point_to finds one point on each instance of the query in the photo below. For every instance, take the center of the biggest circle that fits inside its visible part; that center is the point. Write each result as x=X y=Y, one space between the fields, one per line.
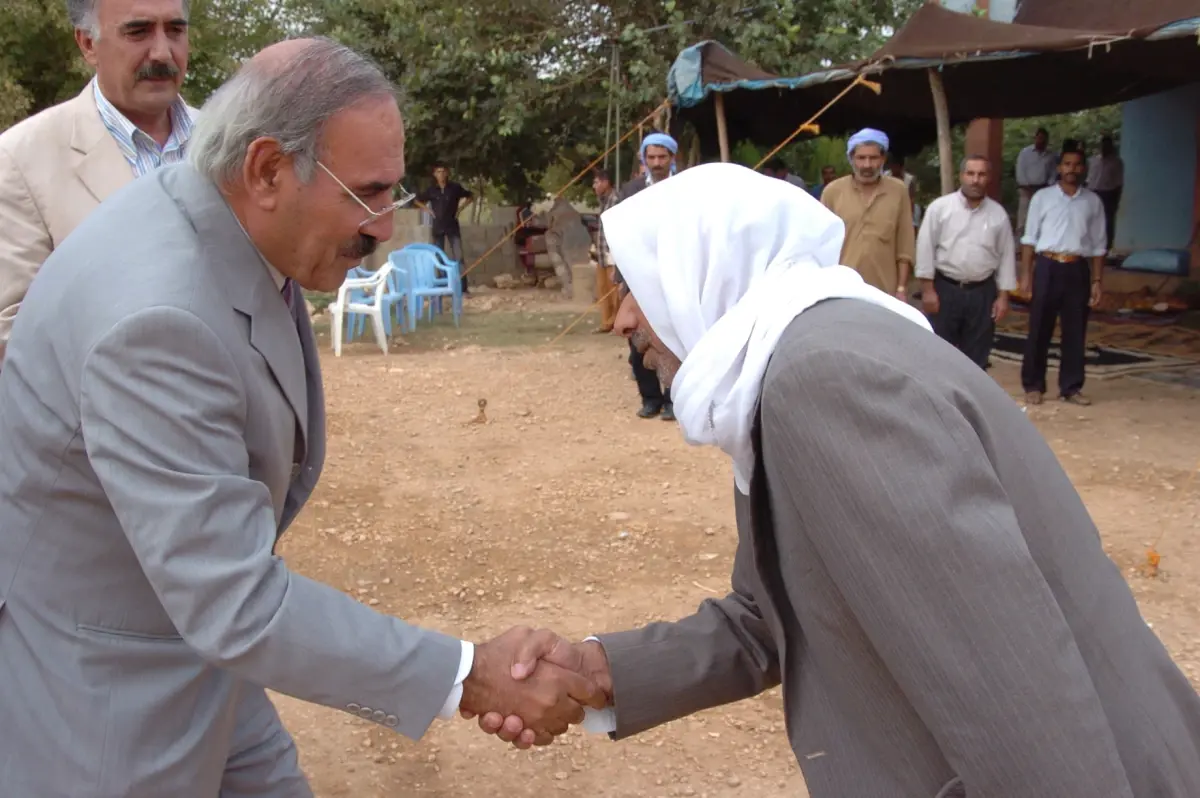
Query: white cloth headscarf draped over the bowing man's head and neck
x=719 y=280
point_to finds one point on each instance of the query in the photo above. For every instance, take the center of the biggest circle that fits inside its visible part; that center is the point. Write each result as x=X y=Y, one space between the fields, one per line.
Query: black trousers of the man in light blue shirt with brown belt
x=1061 y=292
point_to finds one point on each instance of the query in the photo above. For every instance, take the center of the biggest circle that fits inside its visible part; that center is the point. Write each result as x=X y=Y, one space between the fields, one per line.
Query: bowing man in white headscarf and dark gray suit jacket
x=914 y=565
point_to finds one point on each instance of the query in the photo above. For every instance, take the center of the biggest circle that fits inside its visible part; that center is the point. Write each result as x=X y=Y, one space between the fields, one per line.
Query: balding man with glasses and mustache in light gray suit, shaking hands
x=163 y=423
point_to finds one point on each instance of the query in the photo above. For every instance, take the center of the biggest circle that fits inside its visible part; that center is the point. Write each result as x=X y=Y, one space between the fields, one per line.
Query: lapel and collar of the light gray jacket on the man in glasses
x=241 y=271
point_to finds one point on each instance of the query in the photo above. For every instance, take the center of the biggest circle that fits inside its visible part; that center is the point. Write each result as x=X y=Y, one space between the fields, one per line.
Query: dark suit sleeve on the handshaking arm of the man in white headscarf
x=665 y=671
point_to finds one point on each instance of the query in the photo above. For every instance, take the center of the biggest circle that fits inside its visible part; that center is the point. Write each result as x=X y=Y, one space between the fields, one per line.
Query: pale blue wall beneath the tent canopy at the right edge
x=1159 y=145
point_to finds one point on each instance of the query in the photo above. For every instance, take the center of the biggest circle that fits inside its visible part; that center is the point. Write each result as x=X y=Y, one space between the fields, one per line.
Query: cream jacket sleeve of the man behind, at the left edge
x=25 y=244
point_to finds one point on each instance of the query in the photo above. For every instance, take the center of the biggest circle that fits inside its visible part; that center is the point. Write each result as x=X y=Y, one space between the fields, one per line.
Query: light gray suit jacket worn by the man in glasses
x=163 y=422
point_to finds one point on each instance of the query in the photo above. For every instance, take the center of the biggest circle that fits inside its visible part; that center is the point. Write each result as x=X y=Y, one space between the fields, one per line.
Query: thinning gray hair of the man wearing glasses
x=290 y=101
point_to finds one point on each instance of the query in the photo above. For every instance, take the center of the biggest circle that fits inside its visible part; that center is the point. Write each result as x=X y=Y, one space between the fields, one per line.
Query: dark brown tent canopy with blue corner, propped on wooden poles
x=991 y=70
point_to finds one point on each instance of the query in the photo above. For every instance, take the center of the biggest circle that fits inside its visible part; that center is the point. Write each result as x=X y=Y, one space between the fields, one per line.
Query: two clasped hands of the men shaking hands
x=529 y=687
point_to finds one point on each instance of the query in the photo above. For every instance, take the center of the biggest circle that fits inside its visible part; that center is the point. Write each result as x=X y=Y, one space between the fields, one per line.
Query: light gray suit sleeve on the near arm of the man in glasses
x=164 y=415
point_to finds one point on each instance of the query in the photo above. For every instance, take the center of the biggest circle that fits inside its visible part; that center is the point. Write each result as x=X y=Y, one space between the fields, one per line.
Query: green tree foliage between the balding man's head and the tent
x=506 y=91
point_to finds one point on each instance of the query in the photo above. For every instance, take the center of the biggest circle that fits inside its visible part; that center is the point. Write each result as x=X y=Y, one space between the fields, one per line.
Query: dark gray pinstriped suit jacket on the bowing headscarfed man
x=919 y=572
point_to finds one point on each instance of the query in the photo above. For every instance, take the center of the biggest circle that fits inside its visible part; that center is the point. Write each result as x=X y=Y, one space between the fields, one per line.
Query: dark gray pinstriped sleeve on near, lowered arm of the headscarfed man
x=908 y=515
